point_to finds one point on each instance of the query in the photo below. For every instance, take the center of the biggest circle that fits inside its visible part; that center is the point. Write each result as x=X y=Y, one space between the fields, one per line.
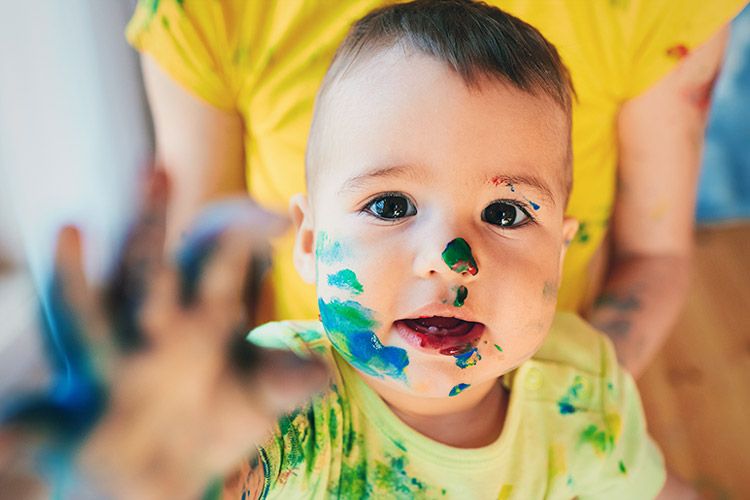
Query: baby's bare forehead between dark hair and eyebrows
x=410 y=114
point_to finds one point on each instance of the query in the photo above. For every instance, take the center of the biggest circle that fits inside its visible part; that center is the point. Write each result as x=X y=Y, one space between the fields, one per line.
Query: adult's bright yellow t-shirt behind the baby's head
x=266 y=59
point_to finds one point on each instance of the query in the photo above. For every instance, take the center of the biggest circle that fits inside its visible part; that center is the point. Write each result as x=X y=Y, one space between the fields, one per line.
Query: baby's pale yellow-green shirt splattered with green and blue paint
x=574 y=428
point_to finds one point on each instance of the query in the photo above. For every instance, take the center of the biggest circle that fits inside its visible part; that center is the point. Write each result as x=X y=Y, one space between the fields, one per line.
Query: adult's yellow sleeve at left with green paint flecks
x=194 y=41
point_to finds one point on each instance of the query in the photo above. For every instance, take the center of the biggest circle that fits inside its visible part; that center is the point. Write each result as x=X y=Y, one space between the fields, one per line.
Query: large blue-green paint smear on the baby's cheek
x=350 y=326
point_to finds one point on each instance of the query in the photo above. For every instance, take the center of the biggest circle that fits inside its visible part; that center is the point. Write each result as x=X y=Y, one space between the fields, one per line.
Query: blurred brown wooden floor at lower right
x=697 y=392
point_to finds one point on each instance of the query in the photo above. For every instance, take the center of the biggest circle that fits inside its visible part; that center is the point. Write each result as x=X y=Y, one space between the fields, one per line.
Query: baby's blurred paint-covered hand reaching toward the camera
x=155 y=390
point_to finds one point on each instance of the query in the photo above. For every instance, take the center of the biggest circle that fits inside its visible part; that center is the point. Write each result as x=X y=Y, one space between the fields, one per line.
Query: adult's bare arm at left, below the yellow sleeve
x=199 y=145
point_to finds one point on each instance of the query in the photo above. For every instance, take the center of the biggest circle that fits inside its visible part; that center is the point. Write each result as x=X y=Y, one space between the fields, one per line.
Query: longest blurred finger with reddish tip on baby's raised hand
x=140 y=262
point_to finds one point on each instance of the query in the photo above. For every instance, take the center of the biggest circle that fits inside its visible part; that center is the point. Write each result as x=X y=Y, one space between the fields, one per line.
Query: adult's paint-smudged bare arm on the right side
x=660 y=135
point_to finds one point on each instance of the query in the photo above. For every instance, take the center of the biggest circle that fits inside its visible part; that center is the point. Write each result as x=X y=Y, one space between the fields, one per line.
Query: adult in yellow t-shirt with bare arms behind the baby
x=232 y=85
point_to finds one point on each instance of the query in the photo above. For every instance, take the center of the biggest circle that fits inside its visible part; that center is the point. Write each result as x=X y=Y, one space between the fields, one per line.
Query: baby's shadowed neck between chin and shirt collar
x=473 y=420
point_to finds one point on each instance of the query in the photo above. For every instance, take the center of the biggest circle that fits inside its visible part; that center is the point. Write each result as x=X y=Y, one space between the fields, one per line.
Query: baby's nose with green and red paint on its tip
x=453 y=259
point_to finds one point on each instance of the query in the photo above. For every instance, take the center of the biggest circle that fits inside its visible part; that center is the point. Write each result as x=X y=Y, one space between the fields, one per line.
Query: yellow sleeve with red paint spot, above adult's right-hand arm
x=659 y=34
